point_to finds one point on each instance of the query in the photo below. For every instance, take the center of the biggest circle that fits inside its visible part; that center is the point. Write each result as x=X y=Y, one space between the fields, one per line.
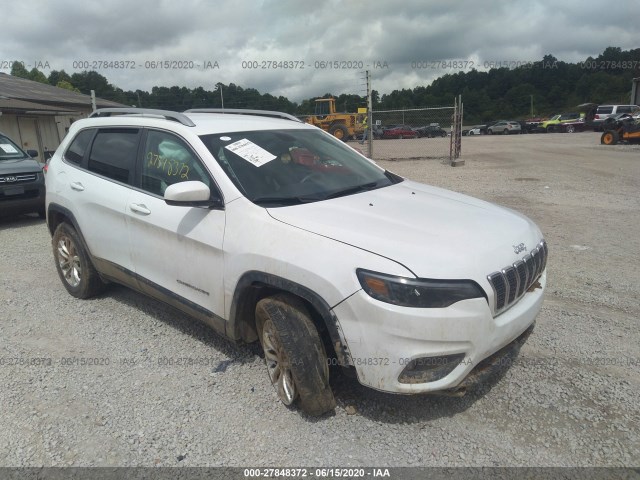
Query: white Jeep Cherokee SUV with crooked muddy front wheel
x=269 y=229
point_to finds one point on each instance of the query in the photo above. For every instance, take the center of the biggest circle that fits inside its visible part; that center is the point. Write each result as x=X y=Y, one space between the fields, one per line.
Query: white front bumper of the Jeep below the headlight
x=417 y=350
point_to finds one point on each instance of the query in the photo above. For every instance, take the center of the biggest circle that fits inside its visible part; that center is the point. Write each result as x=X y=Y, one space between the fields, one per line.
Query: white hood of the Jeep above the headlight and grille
x=433 y=232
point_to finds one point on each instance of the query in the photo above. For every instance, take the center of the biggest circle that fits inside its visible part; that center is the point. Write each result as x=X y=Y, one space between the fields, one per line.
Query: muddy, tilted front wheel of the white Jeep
x=294 y=354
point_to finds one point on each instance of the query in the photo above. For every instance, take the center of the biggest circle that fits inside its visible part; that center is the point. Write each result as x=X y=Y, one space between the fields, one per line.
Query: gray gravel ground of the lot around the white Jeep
x=571 y=398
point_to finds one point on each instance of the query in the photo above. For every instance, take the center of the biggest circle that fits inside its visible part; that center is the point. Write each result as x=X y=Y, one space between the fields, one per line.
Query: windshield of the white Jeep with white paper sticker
x=289 y=167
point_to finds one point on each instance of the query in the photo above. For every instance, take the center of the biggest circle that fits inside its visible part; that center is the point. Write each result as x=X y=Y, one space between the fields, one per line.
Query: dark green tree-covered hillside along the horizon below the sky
x=549 y=86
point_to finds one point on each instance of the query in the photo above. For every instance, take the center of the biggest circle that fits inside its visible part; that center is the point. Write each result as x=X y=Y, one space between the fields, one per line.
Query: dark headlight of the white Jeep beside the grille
x=417 y=292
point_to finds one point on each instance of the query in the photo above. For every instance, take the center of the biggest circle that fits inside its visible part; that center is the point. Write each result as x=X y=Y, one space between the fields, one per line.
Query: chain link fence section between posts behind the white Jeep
x=420 y=133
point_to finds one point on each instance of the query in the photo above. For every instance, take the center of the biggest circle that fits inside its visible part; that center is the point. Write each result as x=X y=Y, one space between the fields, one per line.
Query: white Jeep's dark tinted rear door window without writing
x=113 y=153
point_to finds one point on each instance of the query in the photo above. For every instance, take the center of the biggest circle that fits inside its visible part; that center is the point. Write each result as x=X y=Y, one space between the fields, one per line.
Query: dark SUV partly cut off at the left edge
x=21 y=180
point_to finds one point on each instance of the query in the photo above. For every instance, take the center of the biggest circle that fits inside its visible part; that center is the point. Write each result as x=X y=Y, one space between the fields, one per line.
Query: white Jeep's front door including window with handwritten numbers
x=176 y=250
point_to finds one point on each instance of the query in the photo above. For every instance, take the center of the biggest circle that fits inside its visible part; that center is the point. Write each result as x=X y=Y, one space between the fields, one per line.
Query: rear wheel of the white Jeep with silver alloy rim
x=74 y=267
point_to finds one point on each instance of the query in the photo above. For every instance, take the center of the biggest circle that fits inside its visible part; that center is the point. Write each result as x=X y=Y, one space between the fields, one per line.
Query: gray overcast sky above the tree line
x=361 y=32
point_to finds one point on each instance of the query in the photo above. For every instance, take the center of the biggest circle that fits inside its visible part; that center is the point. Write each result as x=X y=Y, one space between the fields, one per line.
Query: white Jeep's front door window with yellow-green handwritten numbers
x=166 y=159
